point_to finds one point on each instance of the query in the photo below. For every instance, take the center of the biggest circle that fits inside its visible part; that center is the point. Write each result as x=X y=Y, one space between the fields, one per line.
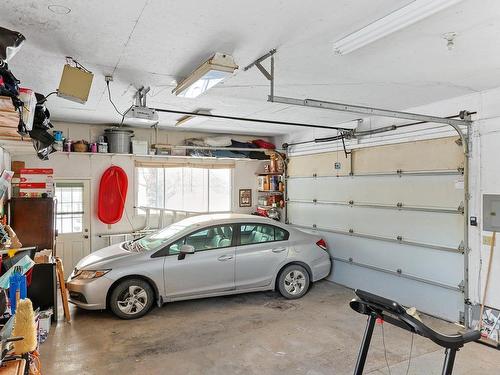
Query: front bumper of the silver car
x=89 y=294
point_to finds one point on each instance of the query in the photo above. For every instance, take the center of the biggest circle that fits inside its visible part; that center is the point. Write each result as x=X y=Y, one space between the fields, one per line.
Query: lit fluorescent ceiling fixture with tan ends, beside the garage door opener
x=206 y=76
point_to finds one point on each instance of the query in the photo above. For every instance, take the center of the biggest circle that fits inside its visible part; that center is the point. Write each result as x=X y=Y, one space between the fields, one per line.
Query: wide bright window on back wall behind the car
x=185 y=188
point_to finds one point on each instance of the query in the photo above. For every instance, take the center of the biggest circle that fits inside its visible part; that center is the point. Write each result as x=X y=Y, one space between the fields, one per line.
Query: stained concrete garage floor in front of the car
x=258 y=333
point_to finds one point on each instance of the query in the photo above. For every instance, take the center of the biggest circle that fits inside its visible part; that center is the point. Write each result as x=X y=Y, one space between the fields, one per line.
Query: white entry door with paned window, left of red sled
x=72 y=221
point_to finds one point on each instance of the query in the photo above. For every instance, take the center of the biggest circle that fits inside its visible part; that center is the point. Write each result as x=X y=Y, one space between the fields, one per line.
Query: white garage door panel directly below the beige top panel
x=432 y=191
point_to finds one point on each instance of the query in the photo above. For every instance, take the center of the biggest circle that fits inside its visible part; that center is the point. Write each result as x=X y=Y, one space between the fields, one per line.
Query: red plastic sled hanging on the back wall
x=112 y=195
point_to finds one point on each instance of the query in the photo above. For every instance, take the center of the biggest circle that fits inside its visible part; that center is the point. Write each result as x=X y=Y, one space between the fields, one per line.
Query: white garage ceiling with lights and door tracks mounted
x=154 y=42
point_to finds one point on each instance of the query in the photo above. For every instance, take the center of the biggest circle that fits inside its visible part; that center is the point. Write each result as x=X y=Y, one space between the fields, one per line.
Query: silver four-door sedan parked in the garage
x=201 y=256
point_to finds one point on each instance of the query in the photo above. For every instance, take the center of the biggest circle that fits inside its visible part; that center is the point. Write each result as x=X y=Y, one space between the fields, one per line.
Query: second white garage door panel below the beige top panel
x=437 y=228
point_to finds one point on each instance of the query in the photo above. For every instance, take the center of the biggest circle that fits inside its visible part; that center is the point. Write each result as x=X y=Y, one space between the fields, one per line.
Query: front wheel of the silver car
x=131 y=299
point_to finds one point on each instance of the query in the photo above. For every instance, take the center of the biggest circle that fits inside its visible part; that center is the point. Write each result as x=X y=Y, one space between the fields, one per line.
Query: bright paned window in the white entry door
x=69 y=217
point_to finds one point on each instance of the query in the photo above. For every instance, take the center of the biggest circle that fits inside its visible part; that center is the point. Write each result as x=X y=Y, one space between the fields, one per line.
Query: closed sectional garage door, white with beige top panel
x=392 y=217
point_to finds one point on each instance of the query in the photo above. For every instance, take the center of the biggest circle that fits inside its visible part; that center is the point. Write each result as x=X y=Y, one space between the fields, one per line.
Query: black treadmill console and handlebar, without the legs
x=392 y=312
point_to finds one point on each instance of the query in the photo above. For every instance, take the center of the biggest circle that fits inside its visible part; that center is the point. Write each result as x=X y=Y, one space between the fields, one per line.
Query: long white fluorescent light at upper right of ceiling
x=397 y=20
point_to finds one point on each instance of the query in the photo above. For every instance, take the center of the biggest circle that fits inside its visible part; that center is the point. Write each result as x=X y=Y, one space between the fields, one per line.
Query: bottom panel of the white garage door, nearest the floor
x=444 y=303
